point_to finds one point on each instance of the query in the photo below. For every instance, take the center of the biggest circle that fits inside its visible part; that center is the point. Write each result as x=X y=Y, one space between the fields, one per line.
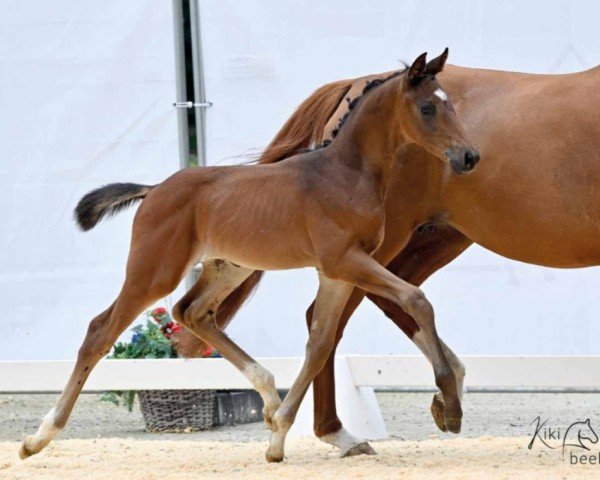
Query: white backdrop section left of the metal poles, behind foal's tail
x=85 y=97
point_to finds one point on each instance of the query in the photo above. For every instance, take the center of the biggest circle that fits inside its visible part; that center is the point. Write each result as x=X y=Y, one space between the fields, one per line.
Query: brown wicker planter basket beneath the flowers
x=177 y=410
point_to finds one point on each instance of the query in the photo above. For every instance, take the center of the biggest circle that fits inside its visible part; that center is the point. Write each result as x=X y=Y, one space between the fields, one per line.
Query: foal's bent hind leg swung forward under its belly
x=197 y=311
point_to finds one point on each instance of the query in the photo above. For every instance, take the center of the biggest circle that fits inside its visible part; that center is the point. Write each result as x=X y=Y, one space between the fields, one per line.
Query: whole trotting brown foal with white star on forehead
x=324 y=208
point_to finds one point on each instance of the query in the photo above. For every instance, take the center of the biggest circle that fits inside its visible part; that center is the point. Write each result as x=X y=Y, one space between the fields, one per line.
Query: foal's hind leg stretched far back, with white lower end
x=153 y=271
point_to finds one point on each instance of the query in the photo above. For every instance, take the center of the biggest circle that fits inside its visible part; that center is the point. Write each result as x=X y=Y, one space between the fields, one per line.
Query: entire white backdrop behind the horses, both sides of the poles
x=85 y=95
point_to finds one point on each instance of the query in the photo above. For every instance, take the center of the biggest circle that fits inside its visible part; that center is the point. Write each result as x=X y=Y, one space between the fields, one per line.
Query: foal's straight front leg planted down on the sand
x=330 y=301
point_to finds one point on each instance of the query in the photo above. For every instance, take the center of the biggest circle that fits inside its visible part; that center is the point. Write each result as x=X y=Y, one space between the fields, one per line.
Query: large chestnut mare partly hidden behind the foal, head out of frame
x=535 y=198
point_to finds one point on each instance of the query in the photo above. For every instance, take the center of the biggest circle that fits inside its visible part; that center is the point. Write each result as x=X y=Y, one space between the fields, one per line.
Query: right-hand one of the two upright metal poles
x=200 y=102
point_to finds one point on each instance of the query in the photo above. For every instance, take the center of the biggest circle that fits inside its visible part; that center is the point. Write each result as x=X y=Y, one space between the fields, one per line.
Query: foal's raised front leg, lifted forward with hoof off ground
x=365 y=272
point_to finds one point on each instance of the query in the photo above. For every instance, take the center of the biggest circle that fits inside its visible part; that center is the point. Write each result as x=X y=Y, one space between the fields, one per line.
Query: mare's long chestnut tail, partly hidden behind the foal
x=305 y=127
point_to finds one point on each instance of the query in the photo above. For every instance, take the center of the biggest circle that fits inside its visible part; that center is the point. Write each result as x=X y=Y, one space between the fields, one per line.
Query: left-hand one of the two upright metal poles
x=184 y=142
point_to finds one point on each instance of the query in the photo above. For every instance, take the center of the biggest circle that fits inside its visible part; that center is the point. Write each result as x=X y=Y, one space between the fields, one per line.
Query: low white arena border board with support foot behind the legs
x=356 y=376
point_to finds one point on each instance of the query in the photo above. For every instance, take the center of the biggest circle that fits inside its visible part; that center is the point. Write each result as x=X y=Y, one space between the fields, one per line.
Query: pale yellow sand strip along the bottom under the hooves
x=483 y=458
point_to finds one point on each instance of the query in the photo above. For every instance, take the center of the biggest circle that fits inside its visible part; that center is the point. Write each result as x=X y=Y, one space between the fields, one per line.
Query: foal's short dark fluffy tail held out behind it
x=107 y=201
